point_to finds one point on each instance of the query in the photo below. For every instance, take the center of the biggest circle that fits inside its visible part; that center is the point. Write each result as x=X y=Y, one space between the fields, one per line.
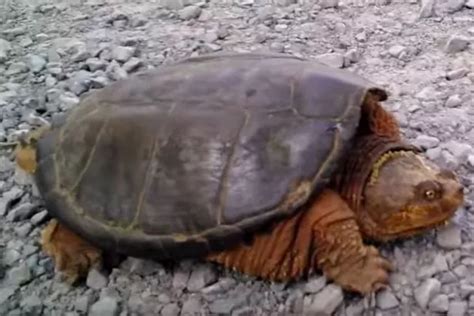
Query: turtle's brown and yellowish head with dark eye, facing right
x=407 y=194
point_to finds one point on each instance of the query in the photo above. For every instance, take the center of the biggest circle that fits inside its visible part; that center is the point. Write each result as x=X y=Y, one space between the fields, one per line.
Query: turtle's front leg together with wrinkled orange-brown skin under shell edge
x=325 y=237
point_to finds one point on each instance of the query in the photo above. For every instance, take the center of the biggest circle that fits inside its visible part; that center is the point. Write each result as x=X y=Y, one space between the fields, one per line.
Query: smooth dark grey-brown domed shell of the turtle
x=194 y=156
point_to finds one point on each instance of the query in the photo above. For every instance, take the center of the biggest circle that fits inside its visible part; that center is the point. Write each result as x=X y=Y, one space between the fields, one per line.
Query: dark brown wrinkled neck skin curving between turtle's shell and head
x=351 y=179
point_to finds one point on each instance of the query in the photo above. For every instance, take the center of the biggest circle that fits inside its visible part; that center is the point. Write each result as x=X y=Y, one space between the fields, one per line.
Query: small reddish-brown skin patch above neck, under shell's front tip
x=377 y=120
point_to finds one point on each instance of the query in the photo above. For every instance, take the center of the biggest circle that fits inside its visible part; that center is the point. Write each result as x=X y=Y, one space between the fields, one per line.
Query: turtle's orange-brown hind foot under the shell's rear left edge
x=72 y=255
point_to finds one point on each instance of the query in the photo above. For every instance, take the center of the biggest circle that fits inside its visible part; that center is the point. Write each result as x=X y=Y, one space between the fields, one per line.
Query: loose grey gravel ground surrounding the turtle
x=422 y=52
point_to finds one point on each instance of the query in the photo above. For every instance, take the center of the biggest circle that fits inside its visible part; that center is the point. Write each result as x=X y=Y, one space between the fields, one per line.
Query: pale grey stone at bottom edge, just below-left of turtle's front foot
x=325 y=302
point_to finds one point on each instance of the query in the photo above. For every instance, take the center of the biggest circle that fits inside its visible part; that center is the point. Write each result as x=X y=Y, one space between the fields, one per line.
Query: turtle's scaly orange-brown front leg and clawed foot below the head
x=340 y=251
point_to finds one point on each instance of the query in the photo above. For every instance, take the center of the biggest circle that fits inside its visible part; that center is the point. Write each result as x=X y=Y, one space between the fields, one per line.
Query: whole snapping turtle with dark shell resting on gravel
x=266 y=163
